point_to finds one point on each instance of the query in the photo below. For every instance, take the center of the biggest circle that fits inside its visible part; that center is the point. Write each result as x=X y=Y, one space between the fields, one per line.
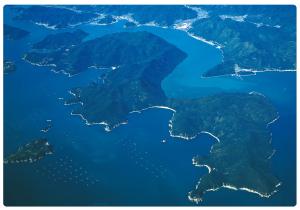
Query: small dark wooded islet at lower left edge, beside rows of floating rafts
x=31 y=152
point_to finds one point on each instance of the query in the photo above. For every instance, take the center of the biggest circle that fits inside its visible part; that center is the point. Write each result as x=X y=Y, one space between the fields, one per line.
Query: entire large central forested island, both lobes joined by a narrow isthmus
x=133 y=65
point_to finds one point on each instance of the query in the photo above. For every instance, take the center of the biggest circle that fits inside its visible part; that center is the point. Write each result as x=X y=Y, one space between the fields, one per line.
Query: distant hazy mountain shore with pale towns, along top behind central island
x=68 y=16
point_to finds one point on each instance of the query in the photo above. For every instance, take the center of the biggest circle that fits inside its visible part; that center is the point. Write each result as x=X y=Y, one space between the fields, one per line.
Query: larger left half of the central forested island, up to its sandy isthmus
x=135 y=63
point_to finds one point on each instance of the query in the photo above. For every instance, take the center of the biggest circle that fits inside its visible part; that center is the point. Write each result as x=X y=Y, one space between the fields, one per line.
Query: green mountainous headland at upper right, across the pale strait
x=249 y=46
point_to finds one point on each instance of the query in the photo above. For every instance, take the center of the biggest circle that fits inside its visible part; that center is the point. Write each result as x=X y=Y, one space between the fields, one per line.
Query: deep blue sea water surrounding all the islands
x=130 y=165
